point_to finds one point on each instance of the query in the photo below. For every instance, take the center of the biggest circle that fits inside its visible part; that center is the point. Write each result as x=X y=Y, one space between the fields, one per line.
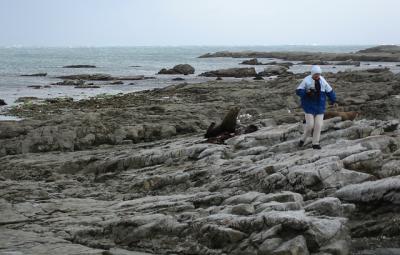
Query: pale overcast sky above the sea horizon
x=198 y=22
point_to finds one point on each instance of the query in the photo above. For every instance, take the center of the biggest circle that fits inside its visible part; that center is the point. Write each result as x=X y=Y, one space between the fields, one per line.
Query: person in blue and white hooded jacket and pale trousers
x=313 y=91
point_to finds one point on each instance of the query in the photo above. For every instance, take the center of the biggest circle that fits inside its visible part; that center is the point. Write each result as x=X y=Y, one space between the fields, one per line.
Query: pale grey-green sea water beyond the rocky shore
x=118 y=61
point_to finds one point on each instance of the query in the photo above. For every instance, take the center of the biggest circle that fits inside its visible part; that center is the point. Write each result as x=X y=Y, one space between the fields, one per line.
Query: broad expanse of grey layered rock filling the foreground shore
x=132 y=173
